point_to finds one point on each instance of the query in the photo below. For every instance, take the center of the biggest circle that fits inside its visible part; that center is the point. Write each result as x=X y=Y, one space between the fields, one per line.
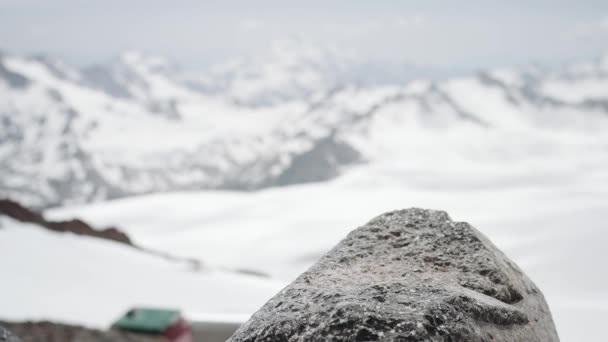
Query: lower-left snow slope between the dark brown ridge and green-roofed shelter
x=69 y=278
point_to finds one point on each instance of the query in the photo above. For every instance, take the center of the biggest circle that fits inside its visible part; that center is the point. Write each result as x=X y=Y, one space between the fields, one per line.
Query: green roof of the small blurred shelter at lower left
x=147 y=320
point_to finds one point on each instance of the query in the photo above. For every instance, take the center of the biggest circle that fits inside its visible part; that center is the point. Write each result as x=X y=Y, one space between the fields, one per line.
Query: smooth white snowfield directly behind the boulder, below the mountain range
x=552 y=225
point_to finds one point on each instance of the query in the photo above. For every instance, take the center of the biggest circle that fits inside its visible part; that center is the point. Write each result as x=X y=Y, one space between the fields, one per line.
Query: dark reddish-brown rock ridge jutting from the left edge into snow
x=23 y=214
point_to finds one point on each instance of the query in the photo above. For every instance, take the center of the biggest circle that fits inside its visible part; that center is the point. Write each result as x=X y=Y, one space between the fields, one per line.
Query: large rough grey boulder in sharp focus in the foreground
x=409 y=275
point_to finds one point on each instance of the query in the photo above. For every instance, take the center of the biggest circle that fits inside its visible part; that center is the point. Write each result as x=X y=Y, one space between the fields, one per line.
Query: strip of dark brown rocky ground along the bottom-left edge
x=56 y=332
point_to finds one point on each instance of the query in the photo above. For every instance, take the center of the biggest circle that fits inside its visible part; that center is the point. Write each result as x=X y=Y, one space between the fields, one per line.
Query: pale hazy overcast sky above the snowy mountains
x=446 y=34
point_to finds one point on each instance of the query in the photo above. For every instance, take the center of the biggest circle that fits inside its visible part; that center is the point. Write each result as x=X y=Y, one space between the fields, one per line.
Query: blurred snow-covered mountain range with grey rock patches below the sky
x=139 y=124
